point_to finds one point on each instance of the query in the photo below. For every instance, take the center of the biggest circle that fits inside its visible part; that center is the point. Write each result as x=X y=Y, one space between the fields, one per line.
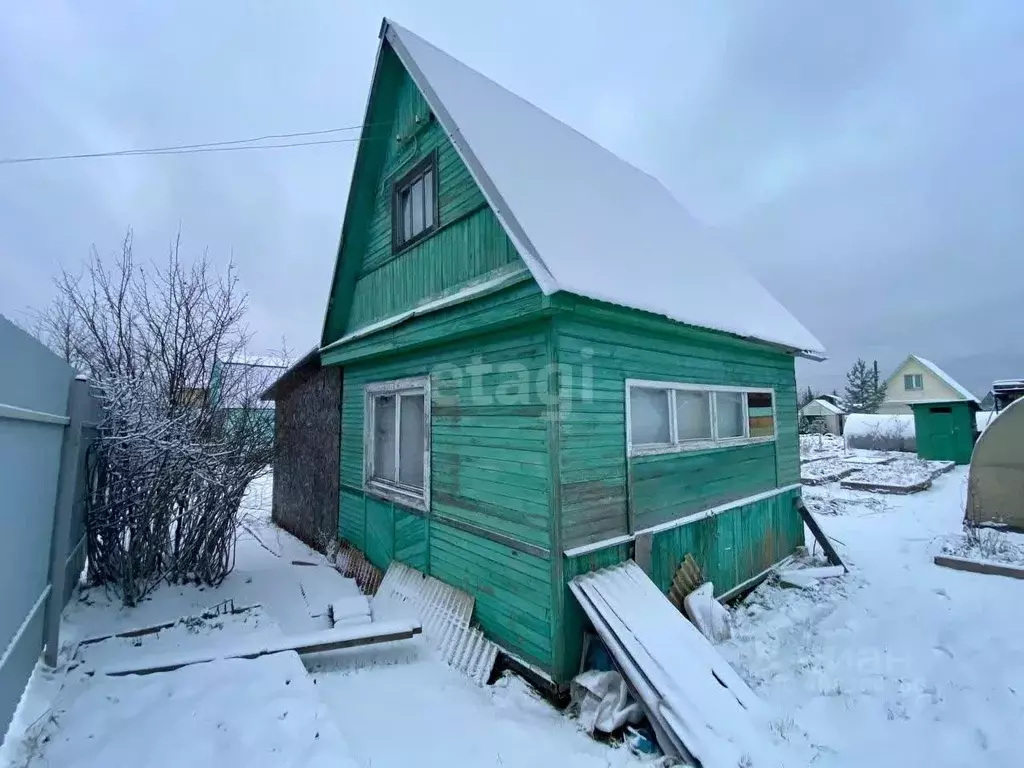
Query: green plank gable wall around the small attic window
x=470 y=243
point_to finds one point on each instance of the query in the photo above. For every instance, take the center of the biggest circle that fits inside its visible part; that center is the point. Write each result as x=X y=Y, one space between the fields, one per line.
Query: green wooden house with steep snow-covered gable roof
x=548 y=367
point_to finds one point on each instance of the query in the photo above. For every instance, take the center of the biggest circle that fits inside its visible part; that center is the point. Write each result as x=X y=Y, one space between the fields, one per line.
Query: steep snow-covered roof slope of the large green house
x=584 y=221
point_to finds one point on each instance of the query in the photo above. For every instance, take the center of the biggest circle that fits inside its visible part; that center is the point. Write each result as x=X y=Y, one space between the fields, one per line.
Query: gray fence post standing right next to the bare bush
x=78 y=407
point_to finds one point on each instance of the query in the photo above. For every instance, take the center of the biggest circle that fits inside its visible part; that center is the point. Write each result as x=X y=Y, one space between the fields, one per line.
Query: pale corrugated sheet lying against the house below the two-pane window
x=446 y=614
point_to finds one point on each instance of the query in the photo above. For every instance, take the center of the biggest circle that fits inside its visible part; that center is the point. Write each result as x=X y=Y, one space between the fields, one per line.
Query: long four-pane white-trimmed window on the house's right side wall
x=665 y=417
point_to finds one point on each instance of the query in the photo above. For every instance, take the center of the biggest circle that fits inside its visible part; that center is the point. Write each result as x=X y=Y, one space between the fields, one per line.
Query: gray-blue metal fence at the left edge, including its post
x=48 y=421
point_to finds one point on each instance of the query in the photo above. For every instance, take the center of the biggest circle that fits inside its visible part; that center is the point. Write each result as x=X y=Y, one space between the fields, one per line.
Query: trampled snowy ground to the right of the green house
x=903 y=663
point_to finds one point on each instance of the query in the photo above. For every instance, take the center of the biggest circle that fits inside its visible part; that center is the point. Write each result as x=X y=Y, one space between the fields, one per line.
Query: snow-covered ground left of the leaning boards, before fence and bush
x=394 y=705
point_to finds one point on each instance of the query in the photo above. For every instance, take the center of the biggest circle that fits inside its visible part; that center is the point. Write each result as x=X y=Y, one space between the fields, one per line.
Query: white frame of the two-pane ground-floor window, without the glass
x=405 y=495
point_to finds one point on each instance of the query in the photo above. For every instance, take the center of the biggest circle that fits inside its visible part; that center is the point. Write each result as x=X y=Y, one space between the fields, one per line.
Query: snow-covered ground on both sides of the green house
x=899 y=663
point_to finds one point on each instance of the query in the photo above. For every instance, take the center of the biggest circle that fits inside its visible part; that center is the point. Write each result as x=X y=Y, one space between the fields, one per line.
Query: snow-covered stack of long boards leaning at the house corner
x=698 y=704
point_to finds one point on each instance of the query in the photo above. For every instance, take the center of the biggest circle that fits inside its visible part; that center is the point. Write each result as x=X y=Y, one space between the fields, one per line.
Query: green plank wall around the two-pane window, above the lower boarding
x=489 y=430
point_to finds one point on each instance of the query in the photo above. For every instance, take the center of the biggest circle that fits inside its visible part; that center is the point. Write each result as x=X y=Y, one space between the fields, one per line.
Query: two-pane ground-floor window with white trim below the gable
x=397 y=438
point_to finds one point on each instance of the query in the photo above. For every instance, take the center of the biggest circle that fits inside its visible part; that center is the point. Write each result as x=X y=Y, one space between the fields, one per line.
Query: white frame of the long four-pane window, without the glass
x=675 y=446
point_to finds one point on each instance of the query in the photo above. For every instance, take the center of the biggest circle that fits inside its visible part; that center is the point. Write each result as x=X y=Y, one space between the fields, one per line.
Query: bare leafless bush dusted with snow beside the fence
x=181 y=441
